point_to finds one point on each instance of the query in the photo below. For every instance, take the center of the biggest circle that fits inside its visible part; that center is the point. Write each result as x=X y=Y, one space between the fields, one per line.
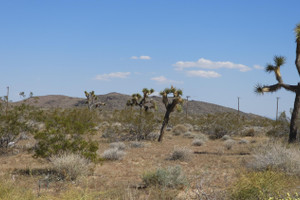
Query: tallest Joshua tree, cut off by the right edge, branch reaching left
x=278 y=62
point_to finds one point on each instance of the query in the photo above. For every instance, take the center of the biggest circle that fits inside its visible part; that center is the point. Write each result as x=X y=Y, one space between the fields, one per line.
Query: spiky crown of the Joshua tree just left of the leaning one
x=142 y=102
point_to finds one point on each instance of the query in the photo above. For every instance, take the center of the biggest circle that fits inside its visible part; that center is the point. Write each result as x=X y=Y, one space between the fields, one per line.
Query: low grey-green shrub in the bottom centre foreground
x=171 y=177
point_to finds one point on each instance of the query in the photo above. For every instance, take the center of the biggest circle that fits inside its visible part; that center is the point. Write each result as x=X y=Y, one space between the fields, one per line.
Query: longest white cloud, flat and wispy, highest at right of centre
x=208 y=64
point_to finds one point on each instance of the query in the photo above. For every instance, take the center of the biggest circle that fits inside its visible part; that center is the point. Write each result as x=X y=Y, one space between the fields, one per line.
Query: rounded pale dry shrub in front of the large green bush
x=70 y=166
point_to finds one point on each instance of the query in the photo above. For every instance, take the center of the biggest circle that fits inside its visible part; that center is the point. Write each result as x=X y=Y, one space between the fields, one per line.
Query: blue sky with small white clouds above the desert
x=214 y=50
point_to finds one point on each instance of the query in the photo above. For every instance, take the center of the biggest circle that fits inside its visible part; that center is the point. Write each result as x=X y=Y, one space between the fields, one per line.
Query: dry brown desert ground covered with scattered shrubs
x=91 y=154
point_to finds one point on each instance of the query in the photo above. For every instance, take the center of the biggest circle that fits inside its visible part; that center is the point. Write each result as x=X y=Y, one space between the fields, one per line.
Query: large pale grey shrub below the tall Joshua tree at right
x=277 y=157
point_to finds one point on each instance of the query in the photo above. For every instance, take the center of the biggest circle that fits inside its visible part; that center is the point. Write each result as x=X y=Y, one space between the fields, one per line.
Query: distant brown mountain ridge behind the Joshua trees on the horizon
x=117 y=101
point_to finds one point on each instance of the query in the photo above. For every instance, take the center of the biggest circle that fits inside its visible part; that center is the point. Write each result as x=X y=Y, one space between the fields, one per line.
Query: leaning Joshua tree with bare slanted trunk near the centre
x=170 y=106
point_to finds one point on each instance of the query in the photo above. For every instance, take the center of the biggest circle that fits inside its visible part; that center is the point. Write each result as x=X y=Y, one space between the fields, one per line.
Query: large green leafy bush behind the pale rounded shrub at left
x=67 y=131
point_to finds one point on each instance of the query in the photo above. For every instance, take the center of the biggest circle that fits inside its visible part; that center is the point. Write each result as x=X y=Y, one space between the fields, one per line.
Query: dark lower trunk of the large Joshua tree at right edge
x=293 y=126
